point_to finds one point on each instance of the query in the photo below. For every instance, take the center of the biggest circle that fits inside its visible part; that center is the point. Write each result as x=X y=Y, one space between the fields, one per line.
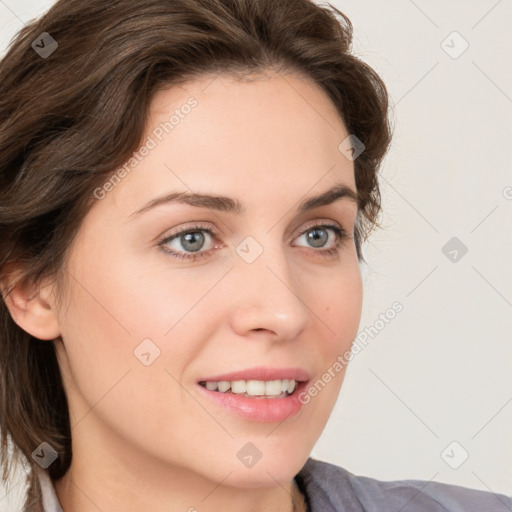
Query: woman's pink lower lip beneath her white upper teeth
x=265 y=410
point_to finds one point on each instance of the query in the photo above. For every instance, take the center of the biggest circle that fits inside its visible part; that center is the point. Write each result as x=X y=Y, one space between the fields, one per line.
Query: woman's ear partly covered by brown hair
x=31 y=307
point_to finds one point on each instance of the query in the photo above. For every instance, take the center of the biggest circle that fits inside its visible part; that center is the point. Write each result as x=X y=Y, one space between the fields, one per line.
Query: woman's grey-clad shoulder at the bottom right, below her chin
x=331 y=488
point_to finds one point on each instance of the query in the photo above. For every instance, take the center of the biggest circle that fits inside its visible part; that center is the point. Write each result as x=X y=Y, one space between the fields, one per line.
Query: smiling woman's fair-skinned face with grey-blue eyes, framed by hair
x=267 y=298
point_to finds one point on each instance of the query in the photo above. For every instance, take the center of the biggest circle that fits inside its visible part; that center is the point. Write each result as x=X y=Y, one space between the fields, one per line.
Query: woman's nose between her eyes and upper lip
x=268 y=298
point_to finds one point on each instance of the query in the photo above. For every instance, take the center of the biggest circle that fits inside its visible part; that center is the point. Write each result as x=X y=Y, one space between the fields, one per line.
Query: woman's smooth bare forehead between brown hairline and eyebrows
x=218 y=134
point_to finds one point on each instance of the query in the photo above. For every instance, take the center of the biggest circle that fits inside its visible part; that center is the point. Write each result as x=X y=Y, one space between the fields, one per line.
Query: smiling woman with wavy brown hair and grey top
x=186 y=185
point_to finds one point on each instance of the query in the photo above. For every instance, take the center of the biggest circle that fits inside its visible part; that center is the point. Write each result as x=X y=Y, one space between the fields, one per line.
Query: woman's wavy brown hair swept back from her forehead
x=69 y=118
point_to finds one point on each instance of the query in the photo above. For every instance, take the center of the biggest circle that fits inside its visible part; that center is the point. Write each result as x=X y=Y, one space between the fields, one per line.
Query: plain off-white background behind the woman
x=434 y=385
